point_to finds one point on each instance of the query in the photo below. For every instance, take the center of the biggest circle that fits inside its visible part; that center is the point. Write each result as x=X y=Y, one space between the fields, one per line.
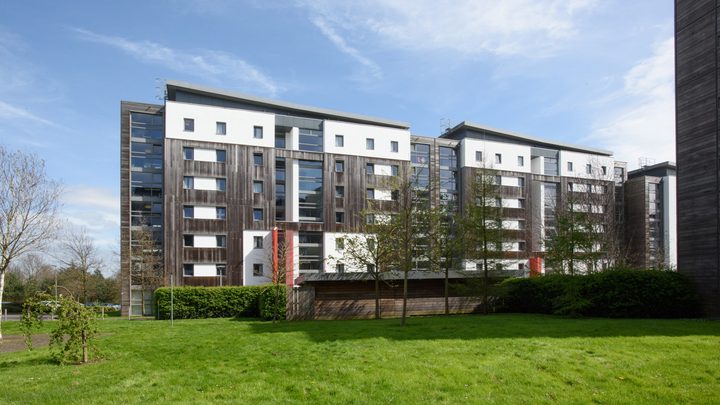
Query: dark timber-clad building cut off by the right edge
x=697 y=39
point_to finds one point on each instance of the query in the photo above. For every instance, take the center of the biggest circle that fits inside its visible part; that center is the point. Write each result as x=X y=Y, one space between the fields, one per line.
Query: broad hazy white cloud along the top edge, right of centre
x=471 y=28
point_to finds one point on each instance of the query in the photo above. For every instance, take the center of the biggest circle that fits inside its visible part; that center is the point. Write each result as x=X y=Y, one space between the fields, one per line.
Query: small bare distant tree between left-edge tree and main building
x=81 y=254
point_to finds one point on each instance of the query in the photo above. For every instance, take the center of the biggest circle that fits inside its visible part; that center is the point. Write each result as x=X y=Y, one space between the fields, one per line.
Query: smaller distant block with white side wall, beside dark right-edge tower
x=650 y=216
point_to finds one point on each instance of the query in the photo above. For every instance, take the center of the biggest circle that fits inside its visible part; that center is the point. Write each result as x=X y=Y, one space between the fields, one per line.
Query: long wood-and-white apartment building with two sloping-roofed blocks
x=212 y=173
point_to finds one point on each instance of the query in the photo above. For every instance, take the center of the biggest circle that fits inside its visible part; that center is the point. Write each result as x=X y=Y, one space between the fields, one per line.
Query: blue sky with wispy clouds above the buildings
x=597 y=73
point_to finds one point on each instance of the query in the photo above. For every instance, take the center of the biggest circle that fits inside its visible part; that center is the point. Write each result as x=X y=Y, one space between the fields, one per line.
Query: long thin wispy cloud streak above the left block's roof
x=219 y=66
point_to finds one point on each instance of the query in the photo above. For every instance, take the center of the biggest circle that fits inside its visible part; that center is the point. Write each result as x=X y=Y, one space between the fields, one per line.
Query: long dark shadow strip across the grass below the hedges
x=501 y=326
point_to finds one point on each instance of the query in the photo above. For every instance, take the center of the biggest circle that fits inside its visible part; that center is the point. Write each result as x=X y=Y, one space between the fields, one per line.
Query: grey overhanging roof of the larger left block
x=173 y=85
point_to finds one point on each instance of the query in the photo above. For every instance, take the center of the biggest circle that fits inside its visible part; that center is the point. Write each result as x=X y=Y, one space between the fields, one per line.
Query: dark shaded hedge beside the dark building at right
x=613 y=293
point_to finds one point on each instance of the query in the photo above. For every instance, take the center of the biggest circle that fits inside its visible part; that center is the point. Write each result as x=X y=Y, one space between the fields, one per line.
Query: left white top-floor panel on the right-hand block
x=508 y=155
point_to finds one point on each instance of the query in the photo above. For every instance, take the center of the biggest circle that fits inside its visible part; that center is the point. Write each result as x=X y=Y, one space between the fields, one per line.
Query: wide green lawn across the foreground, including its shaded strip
x=462 y=359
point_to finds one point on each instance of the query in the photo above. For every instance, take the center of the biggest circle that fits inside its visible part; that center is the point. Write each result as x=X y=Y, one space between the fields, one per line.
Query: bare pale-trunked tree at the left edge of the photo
x=29 y=204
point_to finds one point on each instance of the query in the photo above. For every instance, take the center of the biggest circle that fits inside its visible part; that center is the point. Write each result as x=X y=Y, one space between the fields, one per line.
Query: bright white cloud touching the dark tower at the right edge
x=643 y=125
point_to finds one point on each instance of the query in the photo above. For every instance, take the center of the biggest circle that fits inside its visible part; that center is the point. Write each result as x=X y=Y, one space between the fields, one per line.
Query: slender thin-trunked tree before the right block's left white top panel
x=481 y=226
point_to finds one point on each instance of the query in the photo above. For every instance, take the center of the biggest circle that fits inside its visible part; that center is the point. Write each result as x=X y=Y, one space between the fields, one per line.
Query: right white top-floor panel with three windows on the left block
x=355 y=136
